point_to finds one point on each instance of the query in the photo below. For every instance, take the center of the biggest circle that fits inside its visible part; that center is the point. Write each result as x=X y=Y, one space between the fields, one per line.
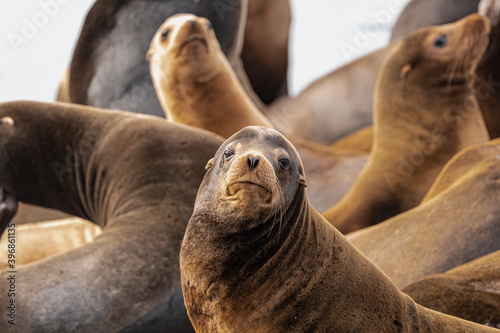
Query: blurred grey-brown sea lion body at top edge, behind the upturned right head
x=422 y=13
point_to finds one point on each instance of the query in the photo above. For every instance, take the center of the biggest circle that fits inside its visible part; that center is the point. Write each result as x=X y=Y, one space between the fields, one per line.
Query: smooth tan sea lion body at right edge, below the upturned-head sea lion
x=458 y=221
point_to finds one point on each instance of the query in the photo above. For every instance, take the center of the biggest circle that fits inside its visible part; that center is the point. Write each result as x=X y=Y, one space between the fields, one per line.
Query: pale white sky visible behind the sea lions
x=32 y=69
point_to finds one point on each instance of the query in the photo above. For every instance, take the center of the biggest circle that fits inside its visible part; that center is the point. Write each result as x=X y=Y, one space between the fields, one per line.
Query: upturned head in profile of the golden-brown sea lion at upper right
x=444 y=55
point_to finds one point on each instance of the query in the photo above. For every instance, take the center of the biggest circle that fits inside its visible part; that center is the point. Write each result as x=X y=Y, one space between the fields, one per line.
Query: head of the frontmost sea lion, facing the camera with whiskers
x=253 y=177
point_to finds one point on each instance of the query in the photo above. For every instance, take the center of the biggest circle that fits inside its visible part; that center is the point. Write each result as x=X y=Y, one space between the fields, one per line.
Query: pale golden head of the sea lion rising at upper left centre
x=185 y=46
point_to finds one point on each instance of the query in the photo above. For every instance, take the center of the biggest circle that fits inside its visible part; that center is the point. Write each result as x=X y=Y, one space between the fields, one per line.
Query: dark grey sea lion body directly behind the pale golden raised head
x=125 y=28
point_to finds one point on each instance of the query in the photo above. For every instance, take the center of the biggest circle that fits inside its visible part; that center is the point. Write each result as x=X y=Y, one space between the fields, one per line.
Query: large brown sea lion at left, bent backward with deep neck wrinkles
x=135 y=176
